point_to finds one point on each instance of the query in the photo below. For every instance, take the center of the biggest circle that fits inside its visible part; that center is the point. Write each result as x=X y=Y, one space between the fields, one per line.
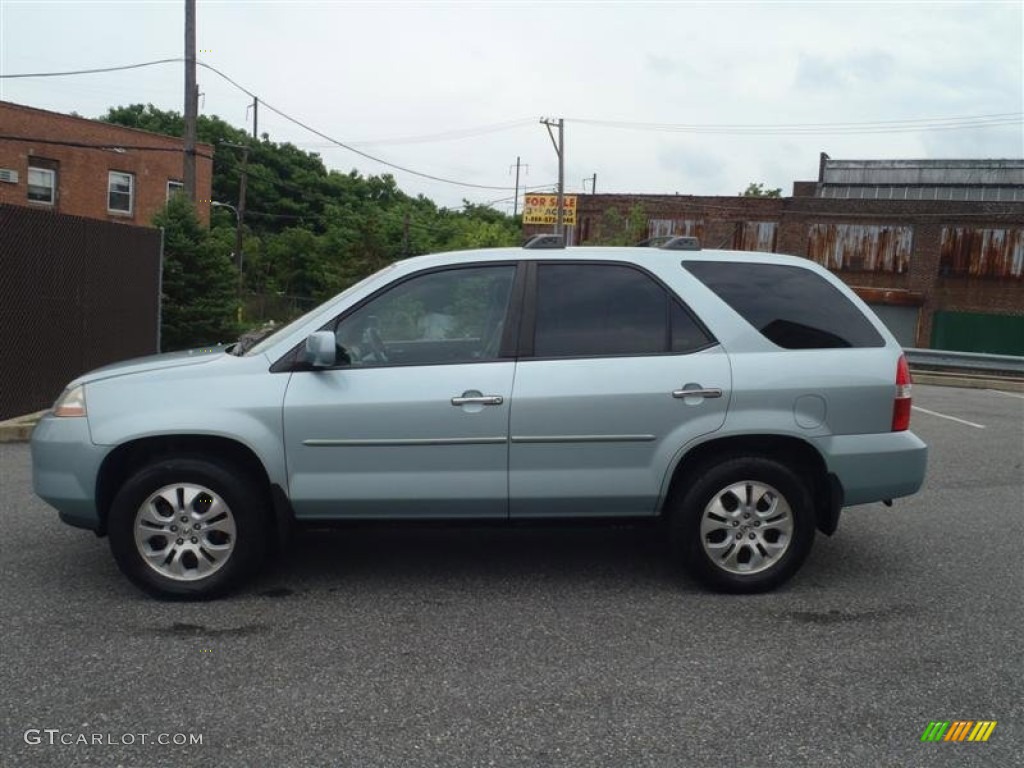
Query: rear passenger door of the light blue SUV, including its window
x=601 y=404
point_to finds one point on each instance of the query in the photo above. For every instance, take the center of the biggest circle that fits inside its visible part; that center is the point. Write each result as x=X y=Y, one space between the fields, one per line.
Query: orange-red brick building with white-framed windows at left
x=71 y=165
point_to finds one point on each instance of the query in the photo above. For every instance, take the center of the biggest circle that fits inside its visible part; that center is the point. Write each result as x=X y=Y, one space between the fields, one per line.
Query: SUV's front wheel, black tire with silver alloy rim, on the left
x=224 y=540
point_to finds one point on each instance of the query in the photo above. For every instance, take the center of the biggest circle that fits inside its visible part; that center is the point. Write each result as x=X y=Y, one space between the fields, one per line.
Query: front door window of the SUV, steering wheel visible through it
x=456 y=316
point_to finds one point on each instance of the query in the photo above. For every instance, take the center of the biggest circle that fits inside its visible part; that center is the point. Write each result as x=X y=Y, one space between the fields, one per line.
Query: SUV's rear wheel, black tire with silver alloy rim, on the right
x=744 y=525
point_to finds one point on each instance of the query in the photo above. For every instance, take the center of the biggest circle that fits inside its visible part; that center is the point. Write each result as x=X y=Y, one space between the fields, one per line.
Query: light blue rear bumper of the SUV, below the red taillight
x=876 y=467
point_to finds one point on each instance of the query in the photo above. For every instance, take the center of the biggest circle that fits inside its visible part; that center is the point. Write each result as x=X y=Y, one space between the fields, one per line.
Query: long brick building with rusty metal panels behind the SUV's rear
x=935 y=247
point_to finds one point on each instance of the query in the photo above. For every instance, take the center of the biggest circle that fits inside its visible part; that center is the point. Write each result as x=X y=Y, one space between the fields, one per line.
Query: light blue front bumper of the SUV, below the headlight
x=65 y=467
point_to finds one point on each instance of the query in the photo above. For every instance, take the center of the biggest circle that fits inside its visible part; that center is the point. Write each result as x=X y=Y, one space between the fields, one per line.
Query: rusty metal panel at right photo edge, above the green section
x=980 y=252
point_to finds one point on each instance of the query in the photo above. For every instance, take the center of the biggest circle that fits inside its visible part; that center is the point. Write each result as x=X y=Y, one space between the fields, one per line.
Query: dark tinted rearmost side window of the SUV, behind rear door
x=790 y=306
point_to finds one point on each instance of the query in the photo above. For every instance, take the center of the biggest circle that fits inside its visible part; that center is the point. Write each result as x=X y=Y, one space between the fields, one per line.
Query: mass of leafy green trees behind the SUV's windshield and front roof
x=311 y=232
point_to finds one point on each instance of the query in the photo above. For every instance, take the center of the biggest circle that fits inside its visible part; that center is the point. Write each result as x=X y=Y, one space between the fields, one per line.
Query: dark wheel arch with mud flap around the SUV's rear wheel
x=827 y=493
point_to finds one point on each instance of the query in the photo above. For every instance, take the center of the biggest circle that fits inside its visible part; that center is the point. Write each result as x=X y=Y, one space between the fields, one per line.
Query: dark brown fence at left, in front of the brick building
x=75 y=294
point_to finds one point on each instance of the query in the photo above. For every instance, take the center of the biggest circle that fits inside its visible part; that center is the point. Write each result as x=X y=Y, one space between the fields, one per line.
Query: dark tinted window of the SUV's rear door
x=609 y=310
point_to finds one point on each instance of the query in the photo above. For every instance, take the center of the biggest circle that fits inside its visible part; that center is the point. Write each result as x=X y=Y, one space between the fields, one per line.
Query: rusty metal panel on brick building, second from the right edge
x=866 y=248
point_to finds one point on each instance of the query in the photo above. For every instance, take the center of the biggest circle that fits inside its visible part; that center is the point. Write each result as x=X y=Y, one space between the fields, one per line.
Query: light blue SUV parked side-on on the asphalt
x=744 y=398
